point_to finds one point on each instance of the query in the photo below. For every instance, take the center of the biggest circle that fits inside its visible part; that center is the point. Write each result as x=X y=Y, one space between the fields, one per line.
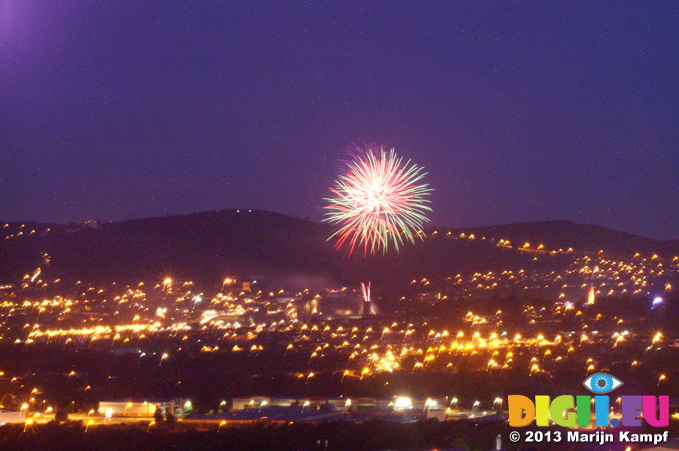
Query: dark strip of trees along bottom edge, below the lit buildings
x=329 y=436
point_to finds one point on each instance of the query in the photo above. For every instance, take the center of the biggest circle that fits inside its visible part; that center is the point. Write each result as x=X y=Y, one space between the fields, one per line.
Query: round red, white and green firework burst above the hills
x=377 y=201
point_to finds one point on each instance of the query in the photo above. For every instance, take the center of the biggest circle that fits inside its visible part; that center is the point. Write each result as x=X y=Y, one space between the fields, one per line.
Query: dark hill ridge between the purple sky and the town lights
x=207 y=247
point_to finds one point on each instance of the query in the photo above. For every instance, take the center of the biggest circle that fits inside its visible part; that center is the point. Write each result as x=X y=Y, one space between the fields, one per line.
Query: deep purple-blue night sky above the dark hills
x=518 y=111
